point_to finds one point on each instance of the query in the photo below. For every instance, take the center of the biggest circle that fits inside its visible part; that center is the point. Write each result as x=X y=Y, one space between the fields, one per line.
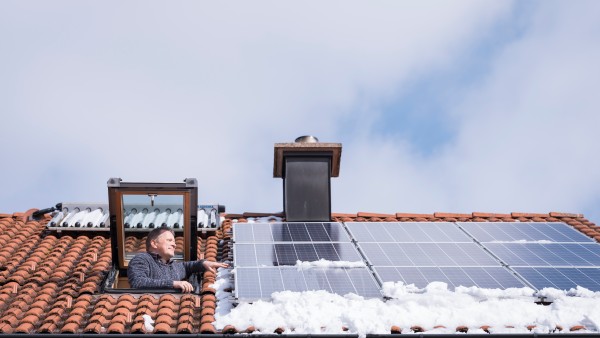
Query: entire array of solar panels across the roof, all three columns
x=490 y=255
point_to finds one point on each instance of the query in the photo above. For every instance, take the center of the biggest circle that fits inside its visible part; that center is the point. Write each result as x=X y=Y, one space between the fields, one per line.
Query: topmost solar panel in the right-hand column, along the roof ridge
x=524 y=232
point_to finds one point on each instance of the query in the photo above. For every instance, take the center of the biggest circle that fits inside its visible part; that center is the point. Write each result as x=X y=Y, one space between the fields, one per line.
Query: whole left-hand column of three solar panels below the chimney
x=265 y=256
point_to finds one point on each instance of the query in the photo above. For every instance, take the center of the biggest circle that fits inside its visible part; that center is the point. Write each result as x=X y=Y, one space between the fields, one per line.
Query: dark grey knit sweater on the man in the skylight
x=147 y=270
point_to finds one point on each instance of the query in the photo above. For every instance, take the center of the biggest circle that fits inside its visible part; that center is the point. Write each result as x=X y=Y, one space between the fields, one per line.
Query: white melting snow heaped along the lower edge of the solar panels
x=434 y=308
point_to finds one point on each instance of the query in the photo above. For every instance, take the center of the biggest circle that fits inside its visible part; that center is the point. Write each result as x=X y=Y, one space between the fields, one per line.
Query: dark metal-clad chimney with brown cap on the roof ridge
x=306 y=167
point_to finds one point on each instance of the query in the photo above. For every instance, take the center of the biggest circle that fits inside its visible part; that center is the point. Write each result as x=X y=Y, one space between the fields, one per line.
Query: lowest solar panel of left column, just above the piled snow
x=259 y=283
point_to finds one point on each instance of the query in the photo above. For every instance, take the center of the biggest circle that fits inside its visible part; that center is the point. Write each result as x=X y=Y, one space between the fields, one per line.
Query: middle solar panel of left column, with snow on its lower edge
x=263 y=254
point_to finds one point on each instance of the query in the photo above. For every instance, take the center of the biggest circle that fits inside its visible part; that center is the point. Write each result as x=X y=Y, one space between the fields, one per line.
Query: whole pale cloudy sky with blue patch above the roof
x=460 y=106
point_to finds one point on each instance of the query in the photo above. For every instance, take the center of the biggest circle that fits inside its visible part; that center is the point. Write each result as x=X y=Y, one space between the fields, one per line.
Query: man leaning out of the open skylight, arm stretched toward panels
x=154 y=269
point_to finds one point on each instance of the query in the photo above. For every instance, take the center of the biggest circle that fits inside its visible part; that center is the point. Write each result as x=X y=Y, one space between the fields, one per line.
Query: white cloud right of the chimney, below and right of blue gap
x=526 y=135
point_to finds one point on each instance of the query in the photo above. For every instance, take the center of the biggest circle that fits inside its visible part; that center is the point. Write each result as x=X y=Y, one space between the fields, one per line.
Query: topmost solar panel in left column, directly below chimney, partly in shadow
x=289 y=232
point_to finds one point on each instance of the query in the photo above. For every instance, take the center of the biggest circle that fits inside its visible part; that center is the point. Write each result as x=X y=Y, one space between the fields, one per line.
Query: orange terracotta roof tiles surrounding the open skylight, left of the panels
x=49 y=284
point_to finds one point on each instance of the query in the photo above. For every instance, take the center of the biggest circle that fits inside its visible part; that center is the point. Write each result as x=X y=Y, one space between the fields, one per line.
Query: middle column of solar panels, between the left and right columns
x=422 y=252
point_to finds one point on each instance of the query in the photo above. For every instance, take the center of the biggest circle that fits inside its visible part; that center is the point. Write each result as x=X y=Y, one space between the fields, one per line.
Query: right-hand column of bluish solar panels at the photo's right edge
x=549 y=254
